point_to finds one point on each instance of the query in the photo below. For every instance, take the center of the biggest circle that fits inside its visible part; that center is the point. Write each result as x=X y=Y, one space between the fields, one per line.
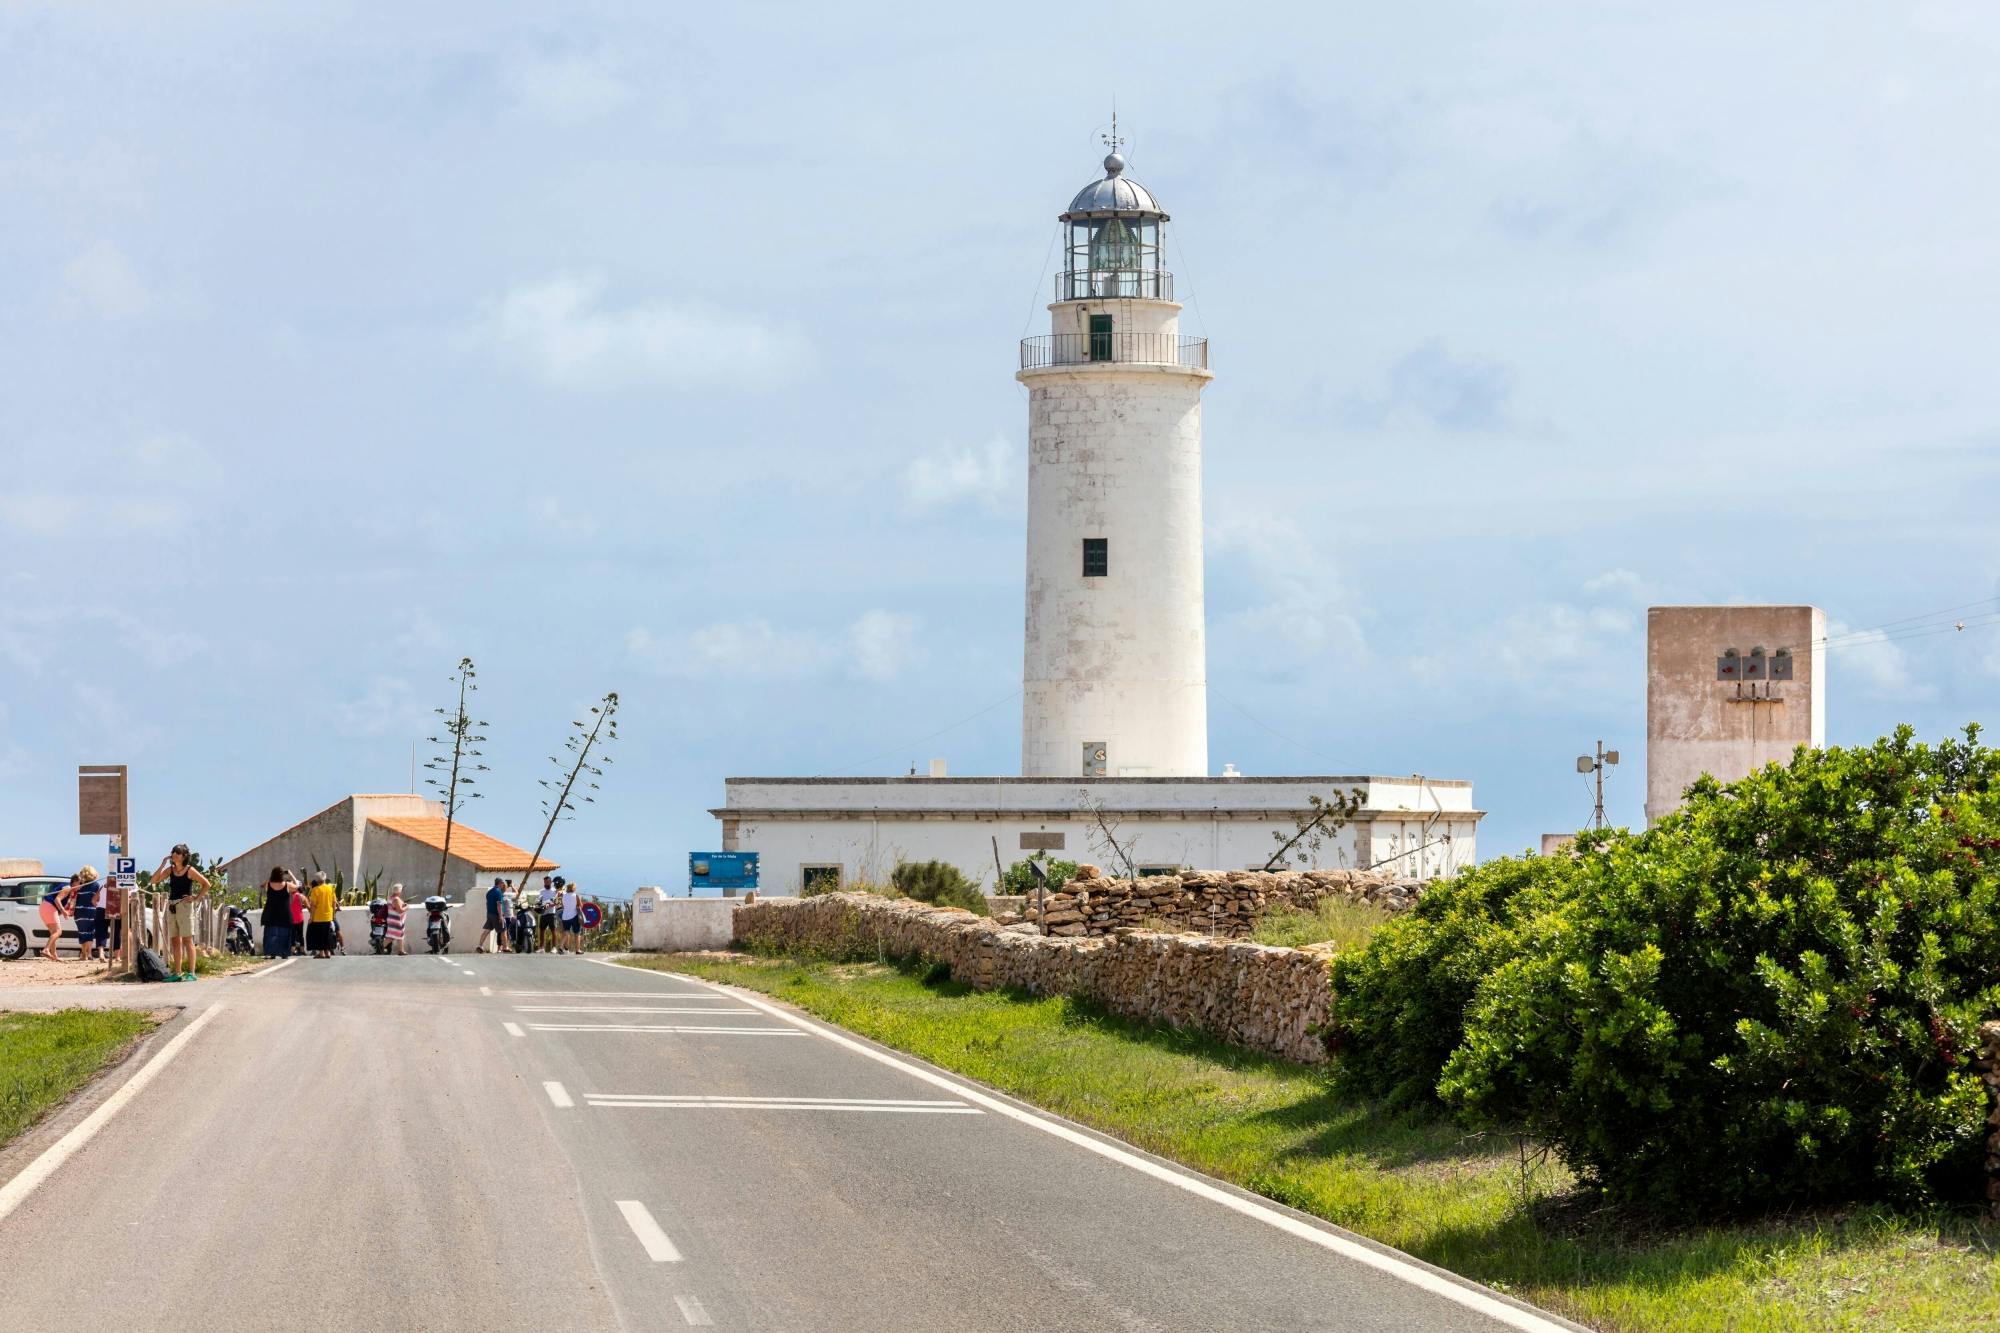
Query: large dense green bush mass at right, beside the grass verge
x=1771 y=998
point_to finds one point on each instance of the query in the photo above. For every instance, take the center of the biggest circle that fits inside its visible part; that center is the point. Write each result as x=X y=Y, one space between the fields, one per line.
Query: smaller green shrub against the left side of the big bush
x=1401 y=1000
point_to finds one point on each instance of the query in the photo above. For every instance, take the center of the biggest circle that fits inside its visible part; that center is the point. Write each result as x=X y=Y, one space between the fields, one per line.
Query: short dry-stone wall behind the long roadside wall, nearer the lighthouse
x=1207 y=902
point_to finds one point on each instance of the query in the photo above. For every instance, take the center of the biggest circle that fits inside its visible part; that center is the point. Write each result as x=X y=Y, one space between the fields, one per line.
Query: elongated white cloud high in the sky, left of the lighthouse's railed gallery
x=567 y=335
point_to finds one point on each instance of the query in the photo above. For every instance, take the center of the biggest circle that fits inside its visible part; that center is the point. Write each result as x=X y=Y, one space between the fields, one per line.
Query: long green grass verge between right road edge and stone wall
x=1479 y=1206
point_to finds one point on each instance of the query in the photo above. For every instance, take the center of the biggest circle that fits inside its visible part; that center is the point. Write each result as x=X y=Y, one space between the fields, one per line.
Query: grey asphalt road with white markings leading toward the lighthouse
x=553 y=1144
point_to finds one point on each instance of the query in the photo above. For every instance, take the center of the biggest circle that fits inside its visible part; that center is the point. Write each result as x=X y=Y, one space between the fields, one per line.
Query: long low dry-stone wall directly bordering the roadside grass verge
x=1255 y=996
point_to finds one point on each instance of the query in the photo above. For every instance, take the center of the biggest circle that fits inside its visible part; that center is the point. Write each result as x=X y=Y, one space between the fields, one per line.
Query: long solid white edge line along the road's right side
x=1385 y=1262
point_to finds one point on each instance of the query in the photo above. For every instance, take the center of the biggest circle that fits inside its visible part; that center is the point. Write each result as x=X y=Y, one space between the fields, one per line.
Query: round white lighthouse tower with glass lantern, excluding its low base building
x=1117 y=676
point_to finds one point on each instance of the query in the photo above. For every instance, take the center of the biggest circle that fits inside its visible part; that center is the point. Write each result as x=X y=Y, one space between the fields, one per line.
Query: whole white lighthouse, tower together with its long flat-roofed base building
x=1115 y=665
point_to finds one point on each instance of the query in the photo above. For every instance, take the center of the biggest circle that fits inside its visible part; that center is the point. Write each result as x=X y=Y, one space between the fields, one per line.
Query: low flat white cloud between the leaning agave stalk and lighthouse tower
x=875 y=647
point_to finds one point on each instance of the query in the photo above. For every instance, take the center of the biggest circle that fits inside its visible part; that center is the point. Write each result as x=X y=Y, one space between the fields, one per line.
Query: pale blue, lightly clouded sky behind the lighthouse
x=671 y=351
